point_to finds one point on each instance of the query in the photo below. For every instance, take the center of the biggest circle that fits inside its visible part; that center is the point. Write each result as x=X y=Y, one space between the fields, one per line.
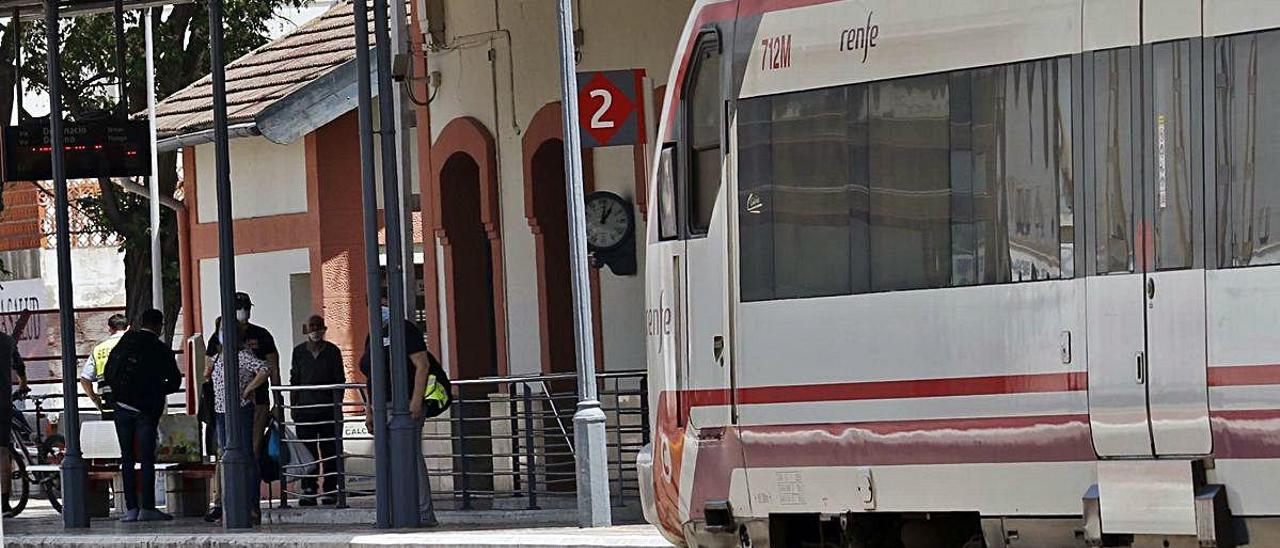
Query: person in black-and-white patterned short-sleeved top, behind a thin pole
x=253 y=375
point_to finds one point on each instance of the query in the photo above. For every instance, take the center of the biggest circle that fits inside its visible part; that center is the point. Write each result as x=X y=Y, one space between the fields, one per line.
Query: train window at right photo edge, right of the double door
x=1249 y=149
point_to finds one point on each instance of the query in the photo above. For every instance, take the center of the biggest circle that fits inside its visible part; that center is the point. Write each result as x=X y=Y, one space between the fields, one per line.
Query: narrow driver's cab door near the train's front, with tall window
x=706 y=276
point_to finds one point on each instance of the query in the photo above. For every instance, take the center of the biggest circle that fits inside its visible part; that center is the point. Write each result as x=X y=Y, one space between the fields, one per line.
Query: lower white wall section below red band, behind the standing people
x=266 y=277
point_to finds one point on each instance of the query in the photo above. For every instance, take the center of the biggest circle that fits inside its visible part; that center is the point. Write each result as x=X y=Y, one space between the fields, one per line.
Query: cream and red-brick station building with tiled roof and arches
x=486 y=170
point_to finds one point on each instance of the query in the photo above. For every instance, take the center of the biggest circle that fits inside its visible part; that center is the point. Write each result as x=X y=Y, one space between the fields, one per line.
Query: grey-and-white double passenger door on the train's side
x=1146 y=303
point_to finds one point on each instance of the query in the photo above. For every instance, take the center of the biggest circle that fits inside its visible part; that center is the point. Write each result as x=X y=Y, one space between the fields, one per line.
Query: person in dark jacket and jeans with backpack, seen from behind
x=143 y=372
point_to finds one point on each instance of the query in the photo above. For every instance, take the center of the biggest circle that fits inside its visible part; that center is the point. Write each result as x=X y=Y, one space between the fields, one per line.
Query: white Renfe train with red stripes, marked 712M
x=967 y=273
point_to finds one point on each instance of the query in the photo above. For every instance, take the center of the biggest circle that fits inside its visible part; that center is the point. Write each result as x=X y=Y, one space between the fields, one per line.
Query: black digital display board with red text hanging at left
x=93 y=150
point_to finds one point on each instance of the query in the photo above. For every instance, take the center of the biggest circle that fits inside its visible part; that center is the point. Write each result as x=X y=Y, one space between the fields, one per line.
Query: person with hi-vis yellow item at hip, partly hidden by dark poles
x=420 y=364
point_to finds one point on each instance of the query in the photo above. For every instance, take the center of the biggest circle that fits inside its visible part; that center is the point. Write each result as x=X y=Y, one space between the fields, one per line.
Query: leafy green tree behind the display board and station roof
x=89 y=70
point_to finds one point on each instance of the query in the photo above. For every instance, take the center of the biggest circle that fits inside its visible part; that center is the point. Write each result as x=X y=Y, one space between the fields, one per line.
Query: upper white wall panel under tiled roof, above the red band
x=267 y=180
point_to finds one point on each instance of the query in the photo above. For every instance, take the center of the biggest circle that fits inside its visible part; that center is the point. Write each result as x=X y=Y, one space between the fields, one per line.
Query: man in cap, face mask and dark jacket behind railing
x=317 y=363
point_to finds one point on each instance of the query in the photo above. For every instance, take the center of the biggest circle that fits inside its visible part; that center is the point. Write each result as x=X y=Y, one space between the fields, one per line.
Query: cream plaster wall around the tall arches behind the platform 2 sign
x=619 y=35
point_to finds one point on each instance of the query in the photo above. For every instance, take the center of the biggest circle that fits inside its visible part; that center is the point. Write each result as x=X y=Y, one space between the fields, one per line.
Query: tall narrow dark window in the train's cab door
x=703 y=109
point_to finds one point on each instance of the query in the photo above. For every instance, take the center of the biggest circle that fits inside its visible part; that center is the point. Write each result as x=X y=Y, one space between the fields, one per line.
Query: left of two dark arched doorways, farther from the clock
x=472 y=272
